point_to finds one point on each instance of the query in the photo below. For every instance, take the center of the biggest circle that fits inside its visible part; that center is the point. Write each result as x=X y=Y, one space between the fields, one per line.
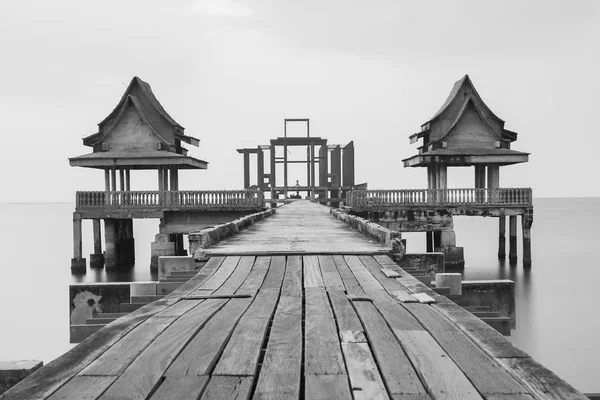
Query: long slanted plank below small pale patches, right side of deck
x=486 y=375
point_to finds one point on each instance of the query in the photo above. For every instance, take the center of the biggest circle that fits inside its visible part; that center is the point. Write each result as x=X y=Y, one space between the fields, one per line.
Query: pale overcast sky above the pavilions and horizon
x=230 y=71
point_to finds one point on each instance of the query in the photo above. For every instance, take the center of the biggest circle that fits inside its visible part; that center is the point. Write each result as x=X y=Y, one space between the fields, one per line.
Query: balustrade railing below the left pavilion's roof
x=181 y=199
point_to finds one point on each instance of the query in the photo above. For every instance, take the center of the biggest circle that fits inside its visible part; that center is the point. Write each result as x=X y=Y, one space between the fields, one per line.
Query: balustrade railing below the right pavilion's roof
x=501 y=197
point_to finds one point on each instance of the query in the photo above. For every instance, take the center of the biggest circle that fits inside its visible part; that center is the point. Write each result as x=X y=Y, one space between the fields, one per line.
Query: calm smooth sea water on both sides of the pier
x=558 y=300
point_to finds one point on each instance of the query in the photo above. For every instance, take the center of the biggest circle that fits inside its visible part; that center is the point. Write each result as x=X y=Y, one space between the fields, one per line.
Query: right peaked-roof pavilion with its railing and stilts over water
x=463 y=133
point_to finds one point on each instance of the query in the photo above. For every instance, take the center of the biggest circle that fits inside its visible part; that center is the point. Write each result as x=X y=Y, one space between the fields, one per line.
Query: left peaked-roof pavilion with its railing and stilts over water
x=140 y=135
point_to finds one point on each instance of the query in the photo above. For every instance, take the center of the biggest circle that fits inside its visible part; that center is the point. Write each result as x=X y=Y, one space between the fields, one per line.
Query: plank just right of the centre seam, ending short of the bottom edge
x=322 y=352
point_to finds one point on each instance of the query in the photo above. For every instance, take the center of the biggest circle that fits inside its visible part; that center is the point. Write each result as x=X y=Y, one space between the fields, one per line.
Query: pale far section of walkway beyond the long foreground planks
x=300 y=227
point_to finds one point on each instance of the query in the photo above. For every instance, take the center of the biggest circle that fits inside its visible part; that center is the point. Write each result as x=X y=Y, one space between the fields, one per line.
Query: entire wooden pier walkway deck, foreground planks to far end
x=281 y=322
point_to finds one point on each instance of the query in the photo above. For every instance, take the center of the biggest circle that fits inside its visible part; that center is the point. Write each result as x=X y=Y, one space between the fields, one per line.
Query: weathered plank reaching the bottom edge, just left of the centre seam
x=281 y=369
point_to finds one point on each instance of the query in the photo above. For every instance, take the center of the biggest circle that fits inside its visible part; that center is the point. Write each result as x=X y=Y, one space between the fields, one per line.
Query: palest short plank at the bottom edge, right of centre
x=364 y=376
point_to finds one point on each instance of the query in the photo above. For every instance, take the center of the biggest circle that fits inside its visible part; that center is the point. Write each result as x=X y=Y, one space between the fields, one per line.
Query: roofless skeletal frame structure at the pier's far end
x=331 y=163
